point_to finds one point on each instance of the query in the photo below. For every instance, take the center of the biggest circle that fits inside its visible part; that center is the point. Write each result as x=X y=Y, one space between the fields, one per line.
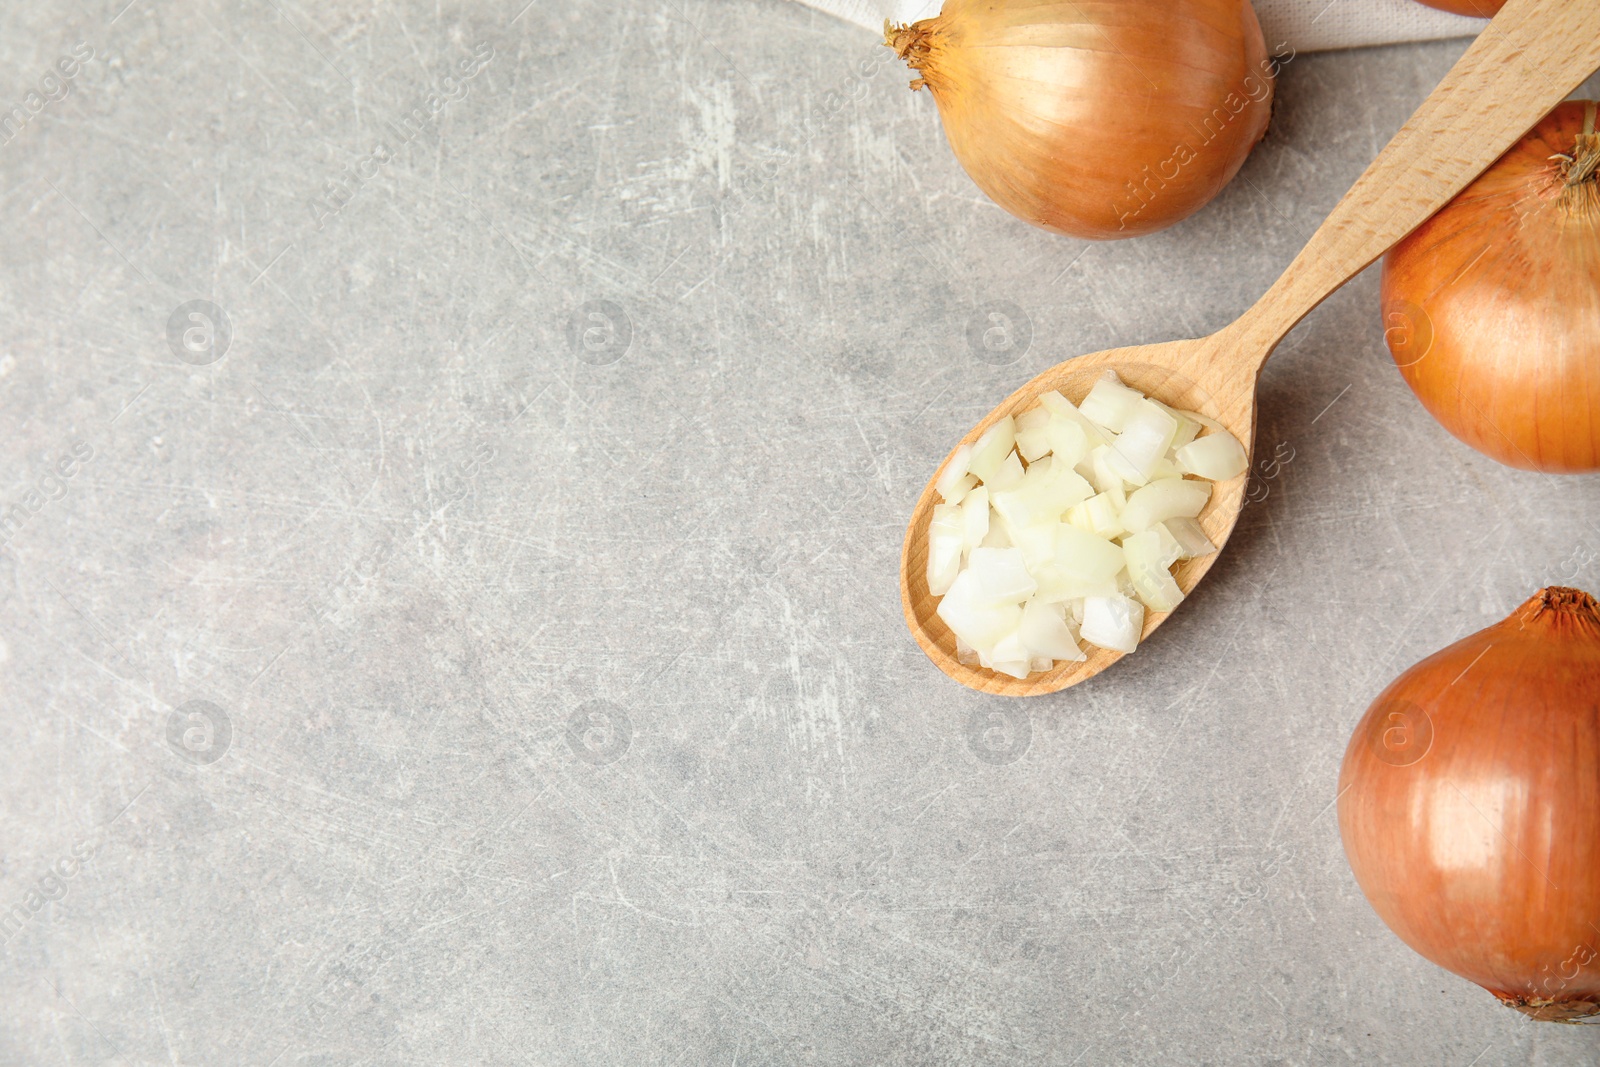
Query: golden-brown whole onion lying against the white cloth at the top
x=1098 y=119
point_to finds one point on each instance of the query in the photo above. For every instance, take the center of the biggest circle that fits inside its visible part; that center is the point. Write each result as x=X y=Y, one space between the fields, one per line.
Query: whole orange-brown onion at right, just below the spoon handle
x=1494 y=308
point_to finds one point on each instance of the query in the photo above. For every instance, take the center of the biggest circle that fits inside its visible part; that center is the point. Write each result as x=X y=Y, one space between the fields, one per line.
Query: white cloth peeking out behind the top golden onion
x=1302 y=25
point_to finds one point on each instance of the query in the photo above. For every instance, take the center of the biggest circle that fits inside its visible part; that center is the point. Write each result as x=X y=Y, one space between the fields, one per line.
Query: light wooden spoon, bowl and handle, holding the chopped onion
x=1529 y=60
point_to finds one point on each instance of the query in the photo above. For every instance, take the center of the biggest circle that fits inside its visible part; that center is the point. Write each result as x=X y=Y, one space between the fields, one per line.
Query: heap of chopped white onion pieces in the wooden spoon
x=1063 y=526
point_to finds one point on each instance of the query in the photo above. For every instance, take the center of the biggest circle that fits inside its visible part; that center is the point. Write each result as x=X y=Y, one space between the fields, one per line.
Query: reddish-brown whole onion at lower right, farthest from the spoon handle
x=1470 y=805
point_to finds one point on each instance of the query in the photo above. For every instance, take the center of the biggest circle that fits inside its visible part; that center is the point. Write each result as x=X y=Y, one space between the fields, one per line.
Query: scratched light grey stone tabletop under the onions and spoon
x=470 y=634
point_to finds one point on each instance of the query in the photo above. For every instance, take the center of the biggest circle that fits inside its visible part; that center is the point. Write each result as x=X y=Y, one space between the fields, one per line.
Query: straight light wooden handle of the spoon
x=1521 y=68
